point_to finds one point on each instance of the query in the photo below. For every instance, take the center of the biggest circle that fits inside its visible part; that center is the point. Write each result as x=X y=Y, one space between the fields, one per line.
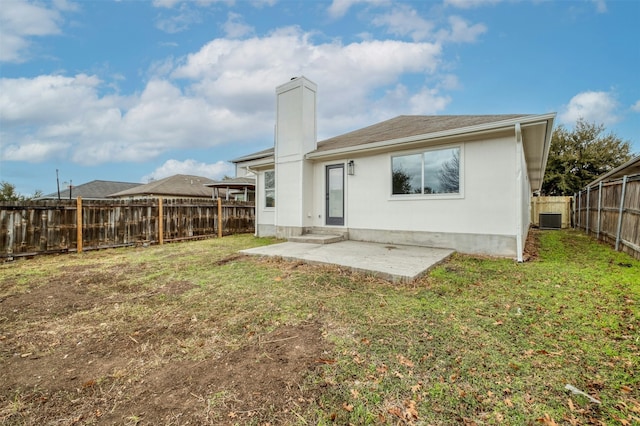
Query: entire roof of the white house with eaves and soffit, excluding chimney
x=405 y=130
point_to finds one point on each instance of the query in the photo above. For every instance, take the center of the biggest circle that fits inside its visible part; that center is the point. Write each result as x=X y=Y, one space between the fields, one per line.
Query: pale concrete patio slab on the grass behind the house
x=397 y=263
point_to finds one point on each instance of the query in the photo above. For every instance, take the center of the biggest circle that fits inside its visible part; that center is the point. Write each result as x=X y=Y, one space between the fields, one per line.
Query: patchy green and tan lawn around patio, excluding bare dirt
x=477 y=341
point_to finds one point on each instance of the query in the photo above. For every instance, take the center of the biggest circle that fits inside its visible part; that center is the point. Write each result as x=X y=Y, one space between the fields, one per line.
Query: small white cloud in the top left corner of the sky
x=20 y=21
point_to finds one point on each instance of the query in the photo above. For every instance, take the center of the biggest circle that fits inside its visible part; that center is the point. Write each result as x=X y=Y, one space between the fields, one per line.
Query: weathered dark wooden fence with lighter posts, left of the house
x=29 y=228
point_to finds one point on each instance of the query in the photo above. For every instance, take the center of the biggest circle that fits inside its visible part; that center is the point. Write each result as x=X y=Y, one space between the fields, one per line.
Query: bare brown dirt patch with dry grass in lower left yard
x=83 y=348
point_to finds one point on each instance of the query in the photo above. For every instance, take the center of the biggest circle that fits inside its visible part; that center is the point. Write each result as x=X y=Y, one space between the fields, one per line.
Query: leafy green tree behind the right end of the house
x=579 y=156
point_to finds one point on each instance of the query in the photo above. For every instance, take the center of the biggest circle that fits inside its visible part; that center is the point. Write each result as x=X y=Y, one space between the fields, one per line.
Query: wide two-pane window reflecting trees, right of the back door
x=435 y=171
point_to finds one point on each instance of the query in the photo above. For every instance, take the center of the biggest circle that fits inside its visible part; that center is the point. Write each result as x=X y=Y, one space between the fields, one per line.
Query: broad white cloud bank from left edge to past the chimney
x=222 y=94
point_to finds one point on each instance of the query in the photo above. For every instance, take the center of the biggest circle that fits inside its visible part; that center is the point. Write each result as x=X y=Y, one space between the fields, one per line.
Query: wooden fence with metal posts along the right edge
x=610 y=211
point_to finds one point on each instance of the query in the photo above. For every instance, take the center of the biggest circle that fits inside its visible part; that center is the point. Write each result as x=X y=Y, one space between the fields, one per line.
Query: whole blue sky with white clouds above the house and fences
x=138 y=90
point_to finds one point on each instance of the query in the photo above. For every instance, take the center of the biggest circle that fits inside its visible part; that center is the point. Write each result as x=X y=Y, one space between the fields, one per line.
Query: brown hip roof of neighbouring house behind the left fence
x=175 y=186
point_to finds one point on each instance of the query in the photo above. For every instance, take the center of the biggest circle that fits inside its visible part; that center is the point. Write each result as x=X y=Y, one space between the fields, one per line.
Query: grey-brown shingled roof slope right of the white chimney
x=408 y=125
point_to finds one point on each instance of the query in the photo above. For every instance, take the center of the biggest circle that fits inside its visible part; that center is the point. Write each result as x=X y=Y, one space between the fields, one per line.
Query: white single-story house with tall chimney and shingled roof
x=460 y=182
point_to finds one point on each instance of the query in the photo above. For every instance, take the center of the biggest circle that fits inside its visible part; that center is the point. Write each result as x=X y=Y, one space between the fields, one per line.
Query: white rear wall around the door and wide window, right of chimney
x=484 y=211
